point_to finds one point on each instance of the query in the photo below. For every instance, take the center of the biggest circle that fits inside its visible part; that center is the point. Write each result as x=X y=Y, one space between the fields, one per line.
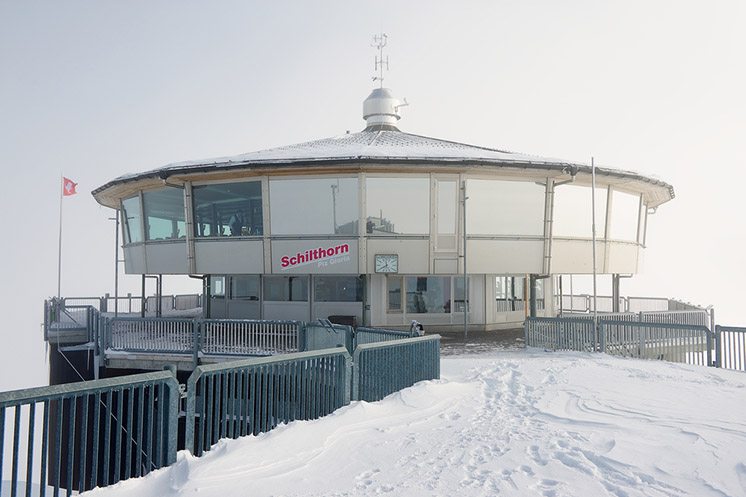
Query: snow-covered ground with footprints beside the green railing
x=509 y=423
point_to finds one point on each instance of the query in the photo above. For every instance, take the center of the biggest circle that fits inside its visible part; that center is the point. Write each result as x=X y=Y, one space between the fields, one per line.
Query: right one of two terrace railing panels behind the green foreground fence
x=249 y=337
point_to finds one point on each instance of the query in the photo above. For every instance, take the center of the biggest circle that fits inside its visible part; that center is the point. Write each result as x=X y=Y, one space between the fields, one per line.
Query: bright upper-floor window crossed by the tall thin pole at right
x=573 y=214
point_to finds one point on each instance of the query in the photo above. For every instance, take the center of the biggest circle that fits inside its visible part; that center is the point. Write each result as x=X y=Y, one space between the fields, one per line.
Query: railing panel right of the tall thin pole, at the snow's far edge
x=683 y=343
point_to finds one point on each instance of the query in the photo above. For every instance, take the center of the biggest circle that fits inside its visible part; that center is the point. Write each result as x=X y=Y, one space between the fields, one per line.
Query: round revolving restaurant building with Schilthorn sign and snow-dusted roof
x=373 y=227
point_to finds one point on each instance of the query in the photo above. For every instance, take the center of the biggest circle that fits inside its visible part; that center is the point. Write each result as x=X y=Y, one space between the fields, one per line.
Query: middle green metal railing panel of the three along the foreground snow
x=252 y=396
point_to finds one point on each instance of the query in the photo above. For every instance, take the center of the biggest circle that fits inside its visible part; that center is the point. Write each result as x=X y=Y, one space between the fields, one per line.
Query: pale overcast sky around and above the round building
x=96 y=89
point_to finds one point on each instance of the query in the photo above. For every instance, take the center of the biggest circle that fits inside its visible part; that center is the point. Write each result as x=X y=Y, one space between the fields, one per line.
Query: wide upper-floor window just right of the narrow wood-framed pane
x=504 y=208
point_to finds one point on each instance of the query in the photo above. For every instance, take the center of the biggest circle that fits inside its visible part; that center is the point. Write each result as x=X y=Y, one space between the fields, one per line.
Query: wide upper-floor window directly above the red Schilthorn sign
x=322 y=206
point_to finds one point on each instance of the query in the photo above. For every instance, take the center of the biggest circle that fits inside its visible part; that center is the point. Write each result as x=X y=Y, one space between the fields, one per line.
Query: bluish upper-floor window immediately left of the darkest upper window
x=164 y=214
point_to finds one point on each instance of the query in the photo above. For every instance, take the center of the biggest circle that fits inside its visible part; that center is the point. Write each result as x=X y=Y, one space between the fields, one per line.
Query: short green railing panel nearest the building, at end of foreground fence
x=381 y=369
